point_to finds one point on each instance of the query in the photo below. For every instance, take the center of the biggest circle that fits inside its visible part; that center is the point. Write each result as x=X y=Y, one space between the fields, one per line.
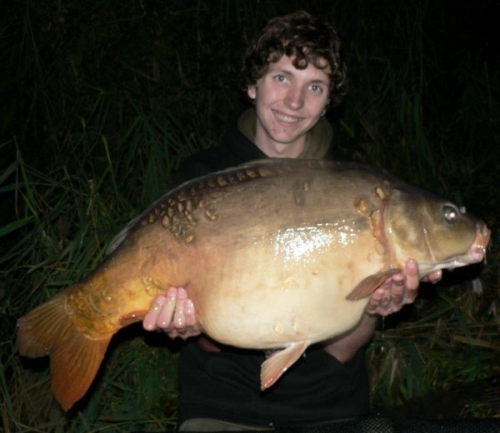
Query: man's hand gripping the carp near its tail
x=173 y=313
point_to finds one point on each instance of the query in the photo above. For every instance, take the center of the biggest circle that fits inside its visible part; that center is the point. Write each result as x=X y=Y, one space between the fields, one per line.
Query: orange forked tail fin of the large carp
x=74 y=357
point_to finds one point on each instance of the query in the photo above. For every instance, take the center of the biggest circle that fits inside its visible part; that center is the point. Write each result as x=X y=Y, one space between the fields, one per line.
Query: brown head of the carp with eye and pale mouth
x=432 y=230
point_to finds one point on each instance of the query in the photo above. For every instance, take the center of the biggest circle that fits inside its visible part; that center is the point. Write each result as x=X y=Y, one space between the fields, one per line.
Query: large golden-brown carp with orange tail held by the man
x=277 y=254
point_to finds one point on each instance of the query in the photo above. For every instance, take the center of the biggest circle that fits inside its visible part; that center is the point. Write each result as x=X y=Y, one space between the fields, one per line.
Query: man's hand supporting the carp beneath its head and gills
x=399 y=290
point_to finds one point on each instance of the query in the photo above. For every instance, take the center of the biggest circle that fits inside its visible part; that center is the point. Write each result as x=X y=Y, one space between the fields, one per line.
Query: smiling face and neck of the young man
x=288 y=102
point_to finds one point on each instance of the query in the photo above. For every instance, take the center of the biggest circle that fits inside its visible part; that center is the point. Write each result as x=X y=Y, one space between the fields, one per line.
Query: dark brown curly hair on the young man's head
x=306 y=38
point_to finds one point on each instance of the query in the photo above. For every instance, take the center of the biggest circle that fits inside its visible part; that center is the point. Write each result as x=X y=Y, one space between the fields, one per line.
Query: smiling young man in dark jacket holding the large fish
x=292 y=73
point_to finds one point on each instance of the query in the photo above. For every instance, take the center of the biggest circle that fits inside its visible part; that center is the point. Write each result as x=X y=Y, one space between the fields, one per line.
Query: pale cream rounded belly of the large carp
x=261 y=297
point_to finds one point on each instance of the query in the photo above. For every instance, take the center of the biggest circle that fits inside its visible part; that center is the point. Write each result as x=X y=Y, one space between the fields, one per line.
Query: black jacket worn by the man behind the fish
x=226 y=385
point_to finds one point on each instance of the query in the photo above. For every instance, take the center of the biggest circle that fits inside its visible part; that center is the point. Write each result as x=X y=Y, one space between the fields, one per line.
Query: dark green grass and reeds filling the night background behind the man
x=101 y=102
